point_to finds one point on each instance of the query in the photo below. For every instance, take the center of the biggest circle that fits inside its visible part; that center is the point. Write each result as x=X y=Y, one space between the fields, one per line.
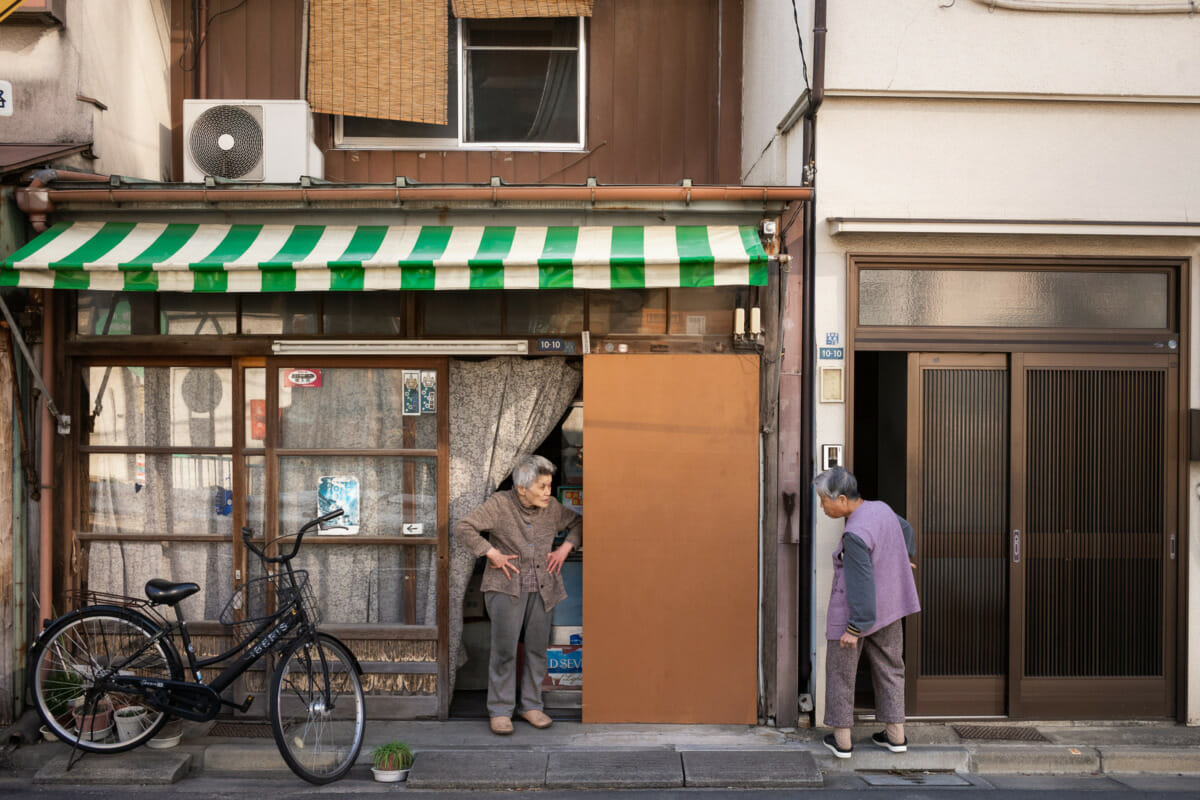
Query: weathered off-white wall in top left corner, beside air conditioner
x=117 y=52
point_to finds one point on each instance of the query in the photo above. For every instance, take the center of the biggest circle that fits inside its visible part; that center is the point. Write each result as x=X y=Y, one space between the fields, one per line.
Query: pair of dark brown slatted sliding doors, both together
x=1043 y=489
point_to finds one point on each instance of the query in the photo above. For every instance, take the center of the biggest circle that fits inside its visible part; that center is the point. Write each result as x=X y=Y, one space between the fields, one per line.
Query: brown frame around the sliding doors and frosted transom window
x=1059 y=341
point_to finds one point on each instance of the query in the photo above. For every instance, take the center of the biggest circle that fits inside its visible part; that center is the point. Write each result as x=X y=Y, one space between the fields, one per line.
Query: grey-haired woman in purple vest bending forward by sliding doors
x=873 y=591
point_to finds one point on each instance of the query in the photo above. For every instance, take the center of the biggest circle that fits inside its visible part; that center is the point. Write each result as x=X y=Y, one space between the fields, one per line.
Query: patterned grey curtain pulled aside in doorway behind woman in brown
x=500 y=410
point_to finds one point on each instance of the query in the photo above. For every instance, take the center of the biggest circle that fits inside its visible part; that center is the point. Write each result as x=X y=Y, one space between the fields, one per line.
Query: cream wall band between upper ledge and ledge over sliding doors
x=1009 y=160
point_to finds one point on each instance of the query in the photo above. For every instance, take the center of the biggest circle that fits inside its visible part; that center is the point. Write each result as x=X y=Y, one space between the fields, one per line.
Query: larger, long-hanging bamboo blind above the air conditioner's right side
x=385 y=59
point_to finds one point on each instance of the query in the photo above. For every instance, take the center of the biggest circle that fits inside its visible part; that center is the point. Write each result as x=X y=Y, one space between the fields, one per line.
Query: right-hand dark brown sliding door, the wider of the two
x=1093 y=544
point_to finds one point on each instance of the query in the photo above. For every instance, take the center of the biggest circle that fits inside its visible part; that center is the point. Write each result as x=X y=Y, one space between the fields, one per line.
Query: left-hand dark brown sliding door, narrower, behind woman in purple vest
x=958 y=502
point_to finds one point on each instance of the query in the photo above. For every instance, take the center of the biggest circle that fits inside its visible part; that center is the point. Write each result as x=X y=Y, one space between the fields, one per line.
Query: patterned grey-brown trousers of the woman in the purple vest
x=885 y=654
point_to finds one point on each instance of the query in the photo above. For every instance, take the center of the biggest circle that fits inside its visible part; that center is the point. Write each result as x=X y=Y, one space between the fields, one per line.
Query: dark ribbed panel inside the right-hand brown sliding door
x=1095 y=519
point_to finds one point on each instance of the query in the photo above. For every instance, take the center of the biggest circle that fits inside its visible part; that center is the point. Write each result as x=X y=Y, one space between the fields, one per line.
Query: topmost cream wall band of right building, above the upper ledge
x=899 y=46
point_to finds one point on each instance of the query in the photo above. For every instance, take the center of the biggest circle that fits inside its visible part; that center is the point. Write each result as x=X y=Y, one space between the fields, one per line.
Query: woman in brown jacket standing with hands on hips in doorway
x=521 y=585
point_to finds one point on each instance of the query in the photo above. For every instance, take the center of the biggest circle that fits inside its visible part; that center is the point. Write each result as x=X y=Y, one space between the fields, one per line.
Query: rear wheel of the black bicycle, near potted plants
x=68 y=678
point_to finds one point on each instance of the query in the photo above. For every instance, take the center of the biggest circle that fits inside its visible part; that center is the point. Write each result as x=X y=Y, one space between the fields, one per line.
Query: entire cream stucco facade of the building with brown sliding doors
x=969 y=115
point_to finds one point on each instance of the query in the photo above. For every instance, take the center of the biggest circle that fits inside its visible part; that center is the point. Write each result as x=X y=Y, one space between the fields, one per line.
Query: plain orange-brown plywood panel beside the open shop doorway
x=671 y=543
